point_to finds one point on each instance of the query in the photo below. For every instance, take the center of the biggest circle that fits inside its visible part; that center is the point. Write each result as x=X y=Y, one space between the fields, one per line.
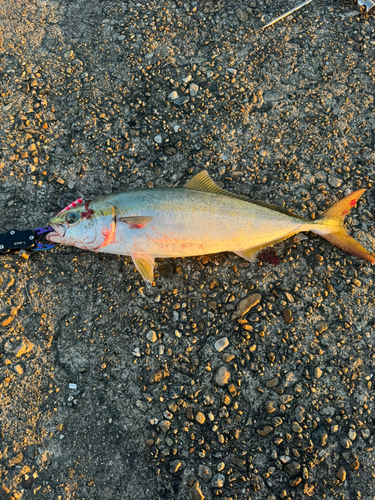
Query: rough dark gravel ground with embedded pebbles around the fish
x=226 y=379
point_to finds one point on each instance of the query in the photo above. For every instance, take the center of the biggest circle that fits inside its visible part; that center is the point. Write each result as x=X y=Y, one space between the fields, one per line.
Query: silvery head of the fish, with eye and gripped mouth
x=75 y=227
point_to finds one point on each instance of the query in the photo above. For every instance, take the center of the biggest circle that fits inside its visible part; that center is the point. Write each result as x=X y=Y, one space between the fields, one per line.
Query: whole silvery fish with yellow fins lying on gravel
x=199 y=218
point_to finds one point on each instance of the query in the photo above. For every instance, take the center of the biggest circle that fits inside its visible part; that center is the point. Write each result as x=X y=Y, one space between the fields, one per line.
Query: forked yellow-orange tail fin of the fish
x=332 y=227
